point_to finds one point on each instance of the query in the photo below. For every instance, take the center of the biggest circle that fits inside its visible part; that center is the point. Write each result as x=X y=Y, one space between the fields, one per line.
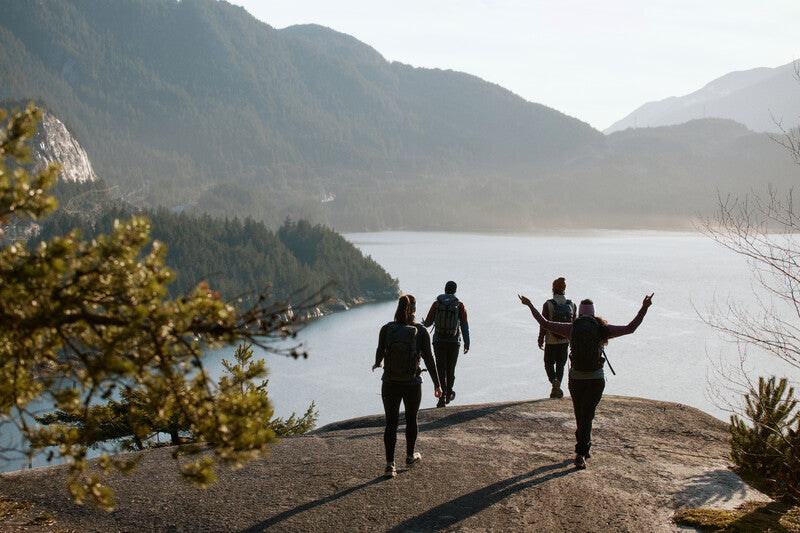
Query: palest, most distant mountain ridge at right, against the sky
x=757 y=98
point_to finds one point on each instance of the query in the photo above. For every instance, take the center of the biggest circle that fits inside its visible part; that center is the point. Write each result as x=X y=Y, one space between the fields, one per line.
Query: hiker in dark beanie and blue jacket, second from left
x=449 y=318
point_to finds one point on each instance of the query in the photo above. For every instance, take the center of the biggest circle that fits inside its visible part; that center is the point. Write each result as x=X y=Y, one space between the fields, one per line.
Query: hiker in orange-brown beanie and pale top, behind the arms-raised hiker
x=556 y=309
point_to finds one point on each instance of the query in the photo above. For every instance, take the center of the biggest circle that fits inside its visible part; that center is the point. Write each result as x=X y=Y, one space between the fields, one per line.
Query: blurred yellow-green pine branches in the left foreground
x=79 y=319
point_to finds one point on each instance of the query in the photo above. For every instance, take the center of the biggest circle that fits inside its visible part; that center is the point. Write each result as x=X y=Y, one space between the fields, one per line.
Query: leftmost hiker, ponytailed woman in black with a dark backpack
x=400 y=344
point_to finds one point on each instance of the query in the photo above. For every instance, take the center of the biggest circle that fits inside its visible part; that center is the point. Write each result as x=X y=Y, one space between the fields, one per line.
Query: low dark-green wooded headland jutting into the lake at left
x=238 y=258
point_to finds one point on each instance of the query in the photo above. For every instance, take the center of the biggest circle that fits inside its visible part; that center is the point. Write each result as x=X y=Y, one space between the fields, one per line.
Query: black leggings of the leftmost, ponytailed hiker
x=411 y=396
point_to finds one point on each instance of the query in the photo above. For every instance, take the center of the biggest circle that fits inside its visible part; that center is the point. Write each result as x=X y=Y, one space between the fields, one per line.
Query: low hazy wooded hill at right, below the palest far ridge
x=665 y=176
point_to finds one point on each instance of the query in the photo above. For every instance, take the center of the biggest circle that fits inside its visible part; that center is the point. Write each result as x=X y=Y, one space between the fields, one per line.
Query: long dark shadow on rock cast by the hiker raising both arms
x=450 y=513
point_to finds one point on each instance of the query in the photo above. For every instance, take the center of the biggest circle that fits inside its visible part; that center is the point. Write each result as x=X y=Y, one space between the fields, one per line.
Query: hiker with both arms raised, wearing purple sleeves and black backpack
x=588 y=334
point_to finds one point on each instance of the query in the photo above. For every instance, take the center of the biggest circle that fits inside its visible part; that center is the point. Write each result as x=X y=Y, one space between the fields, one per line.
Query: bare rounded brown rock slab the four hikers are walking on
x=492 y=467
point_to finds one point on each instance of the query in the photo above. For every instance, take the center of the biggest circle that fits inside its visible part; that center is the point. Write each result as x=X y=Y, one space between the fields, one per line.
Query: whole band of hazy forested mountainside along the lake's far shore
x=197 y=106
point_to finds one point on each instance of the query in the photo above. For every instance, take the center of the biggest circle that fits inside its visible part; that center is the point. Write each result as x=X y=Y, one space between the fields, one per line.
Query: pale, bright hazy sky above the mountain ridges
x=596 y=61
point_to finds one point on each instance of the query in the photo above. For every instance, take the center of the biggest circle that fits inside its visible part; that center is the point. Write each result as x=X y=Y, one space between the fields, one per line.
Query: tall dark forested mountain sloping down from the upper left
x=175 y=98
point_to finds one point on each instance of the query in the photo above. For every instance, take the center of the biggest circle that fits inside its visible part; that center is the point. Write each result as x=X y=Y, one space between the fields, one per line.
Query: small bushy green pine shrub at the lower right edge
x=763 y=447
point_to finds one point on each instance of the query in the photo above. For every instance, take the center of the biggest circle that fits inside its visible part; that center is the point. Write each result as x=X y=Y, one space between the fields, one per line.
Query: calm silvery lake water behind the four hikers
x=668 y=358
